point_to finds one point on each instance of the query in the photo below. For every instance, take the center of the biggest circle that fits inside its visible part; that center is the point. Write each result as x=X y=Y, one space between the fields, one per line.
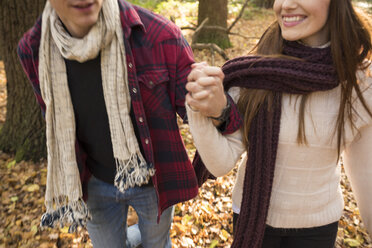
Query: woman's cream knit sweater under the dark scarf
x=306 y=189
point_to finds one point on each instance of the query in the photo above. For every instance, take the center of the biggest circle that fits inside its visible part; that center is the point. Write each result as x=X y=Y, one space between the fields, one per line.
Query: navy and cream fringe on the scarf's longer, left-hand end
x=59 y=211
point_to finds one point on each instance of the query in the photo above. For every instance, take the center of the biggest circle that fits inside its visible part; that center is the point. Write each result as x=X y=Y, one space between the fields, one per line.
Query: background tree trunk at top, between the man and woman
x=216 y=12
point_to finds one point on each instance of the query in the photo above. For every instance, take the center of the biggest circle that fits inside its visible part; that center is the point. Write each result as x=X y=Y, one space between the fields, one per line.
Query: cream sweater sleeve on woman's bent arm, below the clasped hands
x=218 y=152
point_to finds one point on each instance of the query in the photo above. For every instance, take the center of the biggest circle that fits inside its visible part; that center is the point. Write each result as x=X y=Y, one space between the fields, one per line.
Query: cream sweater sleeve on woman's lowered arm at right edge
x=358 y=166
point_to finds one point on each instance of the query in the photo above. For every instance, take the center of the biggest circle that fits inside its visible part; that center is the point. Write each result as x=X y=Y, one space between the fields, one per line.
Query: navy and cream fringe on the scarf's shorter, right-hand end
x=133 y=172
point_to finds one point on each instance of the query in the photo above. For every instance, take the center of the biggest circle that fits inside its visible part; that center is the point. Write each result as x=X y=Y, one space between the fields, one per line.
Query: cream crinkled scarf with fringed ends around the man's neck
x=63 y=197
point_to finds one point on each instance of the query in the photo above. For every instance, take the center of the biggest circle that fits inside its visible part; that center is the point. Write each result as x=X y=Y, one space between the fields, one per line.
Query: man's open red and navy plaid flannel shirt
x=158 y=61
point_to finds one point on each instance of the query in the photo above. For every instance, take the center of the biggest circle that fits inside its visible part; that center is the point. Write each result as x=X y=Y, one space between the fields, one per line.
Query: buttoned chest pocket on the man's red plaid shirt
x=155 y=92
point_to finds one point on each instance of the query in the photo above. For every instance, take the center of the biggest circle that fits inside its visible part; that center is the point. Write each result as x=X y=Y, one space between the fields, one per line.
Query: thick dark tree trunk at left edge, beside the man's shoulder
x=23 y=132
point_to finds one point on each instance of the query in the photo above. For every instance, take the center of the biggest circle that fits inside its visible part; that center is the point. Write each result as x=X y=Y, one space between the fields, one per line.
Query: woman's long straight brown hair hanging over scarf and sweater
x=350 y=36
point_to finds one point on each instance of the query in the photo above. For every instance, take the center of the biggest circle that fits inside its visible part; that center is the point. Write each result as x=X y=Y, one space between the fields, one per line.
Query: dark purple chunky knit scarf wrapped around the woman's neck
x=315 y=72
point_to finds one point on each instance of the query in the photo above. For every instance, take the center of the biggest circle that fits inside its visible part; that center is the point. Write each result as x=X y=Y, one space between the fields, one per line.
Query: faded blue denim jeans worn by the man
x=109 y=209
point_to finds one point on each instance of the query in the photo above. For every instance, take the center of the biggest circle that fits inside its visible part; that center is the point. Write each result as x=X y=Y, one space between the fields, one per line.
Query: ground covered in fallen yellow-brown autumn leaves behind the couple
x=204 y=222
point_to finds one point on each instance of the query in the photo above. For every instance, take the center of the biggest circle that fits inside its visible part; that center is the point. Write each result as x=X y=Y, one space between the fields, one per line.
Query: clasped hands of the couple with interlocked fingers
x=206 y=93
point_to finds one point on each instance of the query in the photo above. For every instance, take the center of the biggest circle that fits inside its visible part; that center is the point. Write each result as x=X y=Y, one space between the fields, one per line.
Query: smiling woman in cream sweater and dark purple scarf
x=306 y=98
